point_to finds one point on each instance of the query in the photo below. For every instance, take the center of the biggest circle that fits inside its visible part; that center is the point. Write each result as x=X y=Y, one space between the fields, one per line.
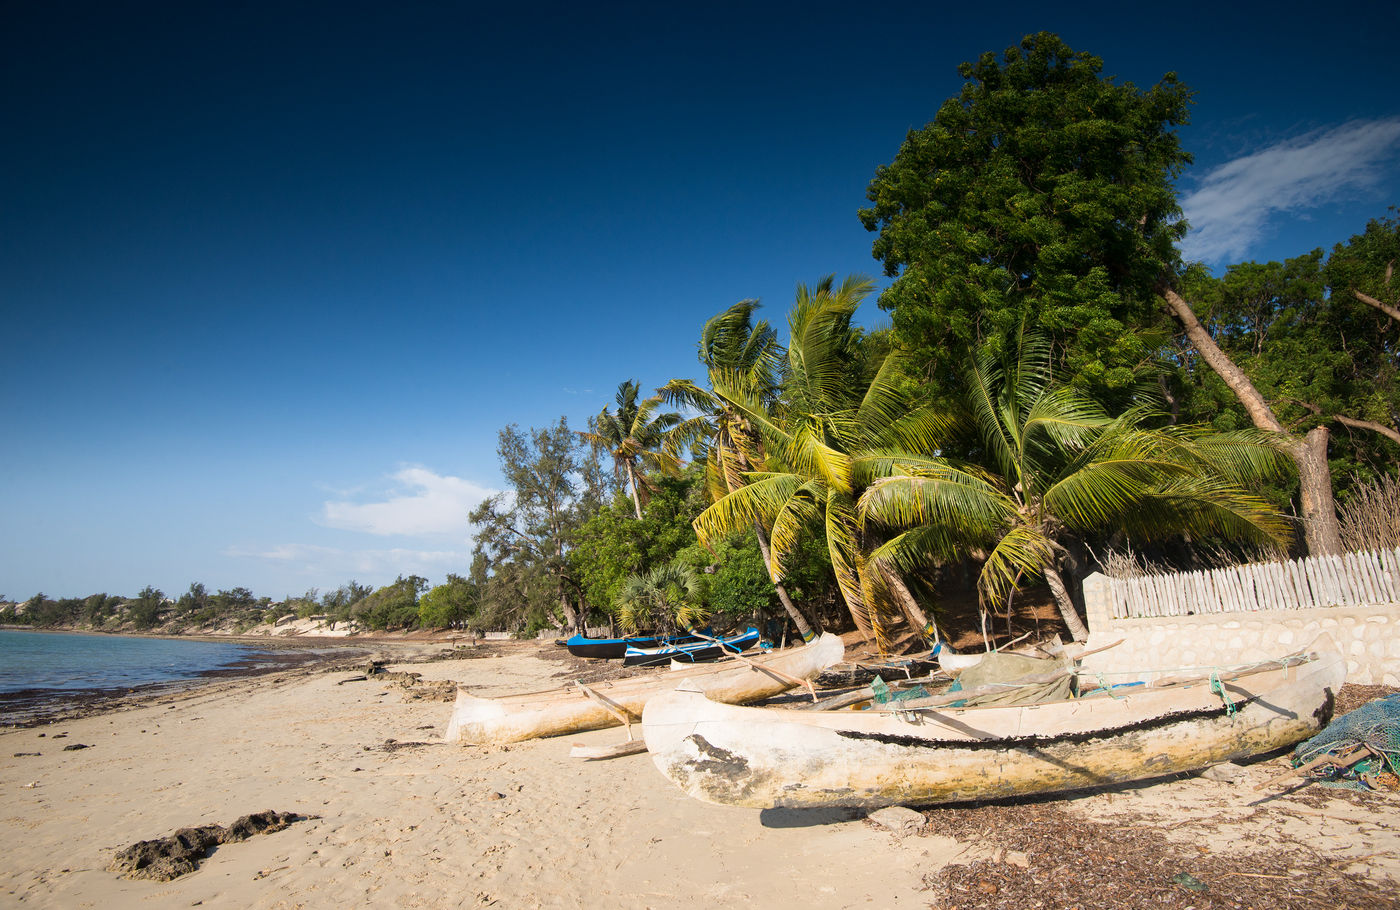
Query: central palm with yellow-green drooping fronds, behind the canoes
x=846 y=411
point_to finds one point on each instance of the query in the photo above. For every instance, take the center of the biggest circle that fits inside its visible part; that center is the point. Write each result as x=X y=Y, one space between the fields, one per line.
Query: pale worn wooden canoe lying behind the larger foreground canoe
x=573 y=709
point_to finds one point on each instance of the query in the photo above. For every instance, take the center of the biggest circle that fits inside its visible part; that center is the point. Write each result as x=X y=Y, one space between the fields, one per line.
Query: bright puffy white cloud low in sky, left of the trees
x=422 y=505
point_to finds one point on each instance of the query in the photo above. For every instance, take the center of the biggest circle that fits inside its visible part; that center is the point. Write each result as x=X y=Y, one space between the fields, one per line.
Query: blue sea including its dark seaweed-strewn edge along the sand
x=48 y=673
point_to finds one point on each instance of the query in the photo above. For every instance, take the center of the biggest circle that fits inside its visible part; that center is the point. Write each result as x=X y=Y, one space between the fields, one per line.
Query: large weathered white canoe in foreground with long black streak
x=780 y=758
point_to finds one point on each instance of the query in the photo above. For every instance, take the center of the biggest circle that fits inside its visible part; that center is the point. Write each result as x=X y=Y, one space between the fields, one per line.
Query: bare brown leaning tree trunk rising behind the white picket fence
x=1321 y=533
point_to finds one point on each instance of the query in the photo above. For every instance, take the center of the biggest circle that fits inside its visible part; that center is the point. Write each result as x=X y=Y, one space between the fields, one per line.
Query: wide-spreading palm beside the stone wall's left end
x=1052 y=464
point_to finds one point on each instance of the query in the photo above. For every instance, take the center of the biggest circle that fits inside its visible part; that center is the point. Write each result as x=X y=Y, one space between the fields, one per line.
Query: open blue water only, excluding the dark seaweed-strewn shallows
x=69 y=663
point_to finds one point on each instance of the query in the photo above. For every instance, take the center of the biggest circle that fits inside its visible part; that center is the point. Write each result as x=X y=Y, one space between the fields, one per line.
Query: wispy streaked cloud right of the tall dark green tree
x=1233 y=204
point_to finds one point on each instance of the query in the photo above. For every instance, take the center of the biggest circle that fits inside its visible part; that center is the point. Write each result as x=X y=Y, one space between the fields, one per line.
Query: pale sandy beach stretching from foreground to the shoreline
x=398 y=818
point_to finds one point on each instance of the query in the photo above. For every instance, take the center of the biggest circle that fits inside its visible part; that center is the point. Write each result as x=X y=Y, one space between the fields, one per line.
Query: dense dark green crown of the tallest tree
x=1041 y=195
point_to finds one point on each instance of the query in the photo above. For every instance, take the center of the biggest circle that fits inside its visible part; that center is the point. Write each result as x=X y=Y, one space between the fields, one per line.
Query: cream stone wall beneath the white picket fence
x=1368 y=636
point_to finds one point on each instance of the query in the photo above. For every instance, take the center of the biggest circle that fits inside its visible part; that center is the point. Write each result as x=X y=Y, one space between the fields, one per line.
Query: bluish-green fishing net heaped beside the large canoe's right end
x=1374 y=726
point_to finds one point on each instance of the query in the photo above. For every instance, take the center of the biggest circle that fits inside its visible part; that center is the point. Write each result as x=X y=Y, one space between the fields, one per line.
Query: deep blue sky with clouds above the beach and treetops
x=274 y=276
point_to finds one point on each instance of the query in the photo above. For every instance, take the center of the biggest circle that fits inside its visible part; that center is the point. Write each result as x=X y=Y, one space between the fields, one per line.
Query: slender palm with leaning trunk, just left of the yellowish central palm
x=747 y=359
